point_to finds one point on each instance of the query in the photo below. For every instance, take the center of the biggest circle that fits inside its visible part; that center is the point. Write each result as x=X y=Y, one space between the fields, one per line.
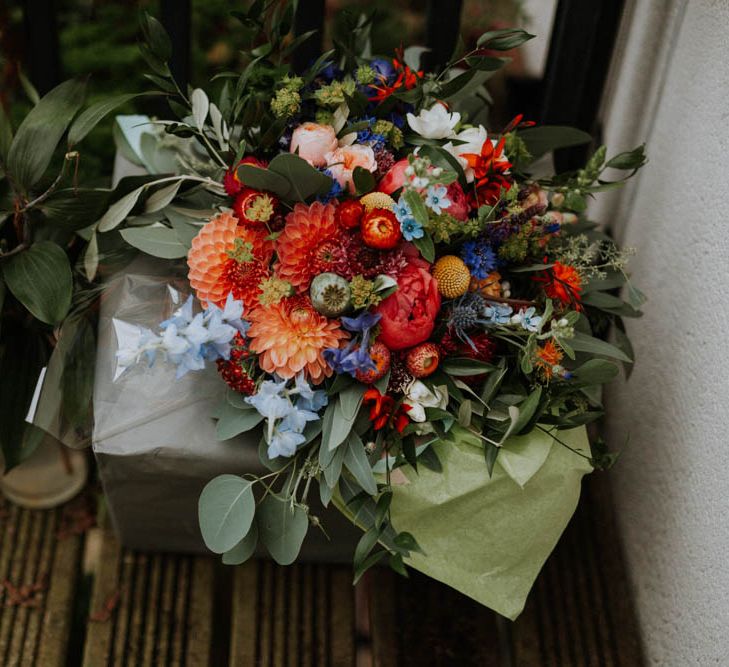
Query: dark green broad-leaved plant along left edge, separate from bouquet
x=41 y=211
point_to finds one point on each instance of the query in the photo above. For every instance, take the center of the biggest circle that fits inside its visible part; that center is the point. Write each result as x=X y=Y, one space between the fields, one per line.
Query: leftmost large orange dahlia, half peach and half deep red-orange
x=214 y=272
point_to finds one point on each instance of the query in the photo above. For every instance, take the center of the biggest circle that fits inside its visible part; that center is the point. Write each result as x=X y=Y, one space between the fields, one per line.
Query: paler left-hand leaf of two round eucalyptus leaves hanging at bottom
x=226 y=509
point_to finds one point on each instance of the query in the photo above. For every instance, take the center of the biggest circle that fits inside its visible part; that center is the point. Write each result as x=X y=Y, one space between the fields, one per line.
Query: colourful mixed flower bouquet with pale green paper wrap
x=412 y=320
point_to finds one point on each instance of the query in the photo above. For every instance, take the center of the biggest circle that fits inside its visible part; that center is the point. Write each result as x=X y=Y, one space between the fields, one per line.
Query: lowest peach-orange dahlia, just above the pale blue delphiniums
x=290 y=336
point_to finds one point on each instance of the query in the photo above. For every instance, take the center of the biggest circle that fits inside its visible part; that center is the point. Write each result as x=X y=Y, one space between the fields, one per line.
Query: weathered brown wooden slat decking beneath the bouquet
x=69 y=595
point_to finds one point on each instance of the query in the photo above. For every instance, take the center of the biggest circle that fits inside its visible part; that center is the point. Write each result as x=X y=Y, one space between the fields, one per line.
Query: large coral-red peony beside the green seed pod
x=408 y=315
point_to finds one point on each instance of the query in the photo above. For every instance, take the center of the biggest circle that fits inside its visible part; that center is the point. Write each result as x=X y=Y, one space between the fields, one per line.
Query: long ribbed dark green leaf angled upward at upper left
x=41 y=130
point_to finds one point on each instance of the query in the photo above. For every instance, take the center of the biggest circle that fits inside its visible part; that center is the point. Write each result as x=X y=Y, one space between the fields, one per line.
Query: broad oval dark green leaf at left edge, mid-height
x=40 y=278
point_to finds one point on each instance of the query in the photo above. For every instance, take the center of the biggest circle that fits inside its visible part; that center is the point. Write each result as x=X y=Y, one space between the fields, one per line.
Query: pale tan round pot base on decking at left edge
x=50 y=477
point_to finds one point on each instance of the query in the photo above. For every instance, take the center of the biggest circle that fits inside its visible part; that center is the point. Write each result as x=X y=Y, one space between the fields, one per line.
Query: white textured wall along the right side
x=670 y=87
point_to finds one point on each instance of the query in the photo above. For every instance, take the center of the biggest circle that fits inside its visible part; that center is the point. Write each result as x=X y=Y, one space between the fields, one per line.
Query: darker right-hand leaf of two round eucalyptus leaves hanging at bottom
x=282 y=528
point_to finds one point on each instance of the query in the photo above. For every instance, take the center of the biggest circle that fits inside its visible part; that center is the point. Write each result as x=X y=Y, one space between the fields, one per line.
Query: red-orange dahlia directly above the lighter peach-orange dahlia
x=309 y=245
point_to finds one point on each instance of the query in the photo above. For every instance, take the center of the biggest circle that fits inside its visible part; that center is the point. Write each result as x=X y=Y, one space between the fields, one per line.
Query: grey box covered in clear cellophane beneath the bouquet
x=154 y=439
